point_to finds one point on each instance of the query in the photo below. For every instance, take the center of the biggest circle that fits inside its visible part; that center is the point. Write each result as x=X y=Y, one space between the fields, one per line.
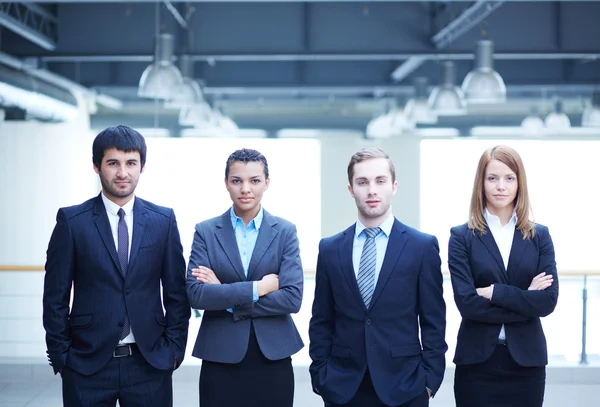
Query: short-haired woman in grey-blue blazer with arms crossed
x=245 y=272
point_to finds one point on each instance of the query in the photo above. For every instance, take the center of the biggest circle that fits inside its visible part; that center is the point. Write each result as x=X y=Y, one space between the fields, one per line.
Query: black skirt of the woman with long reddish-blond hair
x=499 y=382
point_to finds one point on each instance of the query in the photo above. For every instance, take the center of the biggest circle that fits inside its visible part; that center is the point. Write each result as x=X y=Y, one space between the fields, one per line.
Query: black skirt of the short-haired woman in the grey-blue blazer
x=254 y=382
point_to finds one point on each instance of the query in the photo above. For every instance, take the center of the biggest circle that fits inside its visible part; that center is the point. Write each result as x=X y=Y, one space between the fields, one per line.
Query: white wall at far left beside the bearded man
x=43 y=167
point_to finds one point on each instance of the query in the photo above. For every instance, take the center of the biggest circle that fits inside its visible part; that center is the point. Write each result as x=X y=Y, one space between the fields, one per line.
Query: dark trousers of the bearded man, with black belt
x=130 y=380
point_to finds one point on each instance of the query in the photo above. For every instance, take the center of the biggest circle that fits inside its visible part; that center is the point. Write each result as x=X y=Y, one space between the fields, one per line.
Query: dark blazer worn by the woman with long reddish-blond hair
x=475 y=261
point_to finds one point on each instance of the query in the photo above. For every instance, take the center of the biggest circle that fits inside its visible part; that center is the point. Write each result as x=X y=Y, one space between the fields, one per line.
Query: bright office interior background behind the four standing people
x=307 y=84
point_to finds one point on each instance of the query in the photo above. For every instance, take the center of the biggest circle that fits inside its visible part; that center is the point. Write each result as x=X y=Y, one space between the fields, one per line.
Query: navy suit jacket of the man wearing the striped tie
x=408 y=303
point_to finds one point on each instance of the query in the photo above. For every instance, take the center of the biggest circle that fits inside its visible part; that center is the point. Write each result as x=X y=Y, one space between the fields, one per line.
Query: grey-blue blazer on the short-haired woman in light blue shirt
x=223 y=335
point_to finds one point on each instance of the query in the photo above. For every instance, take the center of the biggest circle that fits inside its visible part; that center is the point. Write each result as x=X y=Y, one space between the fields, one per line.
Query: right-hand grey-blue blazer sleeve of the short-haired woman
x=288 y=299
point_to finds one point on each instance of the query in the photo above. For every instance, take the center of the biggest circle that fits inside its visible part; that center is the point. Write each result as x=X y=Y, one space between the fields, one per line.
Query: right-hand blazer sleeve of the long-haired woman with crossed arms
x=532 y=303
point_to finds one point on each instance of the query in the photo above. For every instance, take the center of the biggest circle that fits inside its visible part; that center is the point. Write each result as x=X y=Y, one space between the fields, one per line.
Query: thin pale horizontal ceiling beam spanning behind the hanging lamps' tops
x=212 y=58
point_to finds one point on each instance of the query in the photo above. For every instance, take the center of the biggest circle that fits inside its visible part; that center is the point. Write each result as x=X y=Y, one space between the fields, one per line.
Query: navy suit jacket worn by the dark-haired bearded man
x=82 y=253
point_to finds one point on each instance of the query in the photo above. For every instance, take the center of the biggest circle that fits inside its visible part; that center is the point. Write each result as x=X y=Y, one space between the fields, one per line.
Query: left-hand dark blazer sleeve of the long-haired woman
x=470 y=304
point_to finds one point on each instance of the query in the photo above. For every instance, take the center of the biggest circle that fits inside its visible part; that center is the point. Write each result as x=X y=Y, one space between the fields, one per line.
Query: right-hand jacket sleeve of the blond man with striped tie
x=432 y=315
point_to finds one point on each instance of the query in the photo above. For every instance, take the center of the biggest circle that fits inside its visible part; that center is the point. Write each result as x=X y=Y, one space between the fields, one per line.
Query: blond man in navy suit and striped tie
x=377 y=332
